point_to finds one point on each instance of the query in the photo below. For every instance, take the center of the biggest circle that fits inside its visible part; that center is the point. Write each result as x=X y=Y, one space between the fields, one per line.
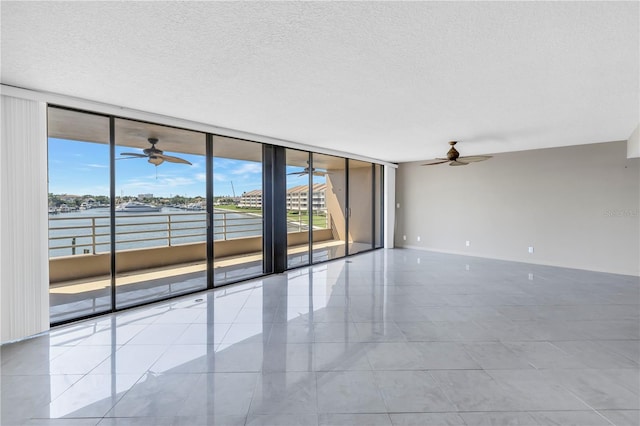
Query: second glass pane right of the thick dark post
x=329 y=207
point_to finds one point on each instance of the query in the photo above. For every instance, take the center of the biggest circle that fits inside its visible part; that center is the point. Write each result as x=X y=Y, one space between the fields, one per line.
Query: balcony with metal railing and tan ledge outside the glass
x=157 y=256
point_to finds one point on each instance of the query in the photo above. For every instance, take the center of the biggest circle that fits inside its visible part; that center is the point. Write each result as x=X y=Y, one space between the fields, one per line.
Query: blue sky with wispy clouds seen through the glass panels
x=81 y=168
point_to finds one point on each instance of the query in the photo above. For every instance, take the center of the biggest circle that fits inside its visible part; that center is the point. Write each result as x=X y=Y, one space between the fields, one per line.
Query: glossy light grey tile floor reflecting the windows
x=391 y=337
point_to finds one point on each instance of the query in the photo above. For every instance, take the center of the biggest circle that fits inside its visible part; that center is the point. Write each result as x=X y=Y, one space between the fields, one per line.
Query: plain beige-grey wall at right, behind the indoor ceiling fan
x=577 y=206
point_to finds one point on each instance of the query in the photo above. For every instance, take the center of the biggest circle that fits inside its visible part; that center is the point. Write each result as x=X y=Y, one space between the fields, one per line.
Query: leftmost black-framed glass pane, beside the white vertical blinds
x=79 y=232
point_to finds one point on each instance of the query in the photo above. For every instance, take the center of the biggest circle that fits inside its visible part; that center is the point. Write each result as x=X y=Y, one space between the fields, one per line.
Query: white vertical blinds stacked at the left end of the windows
x=24 y=260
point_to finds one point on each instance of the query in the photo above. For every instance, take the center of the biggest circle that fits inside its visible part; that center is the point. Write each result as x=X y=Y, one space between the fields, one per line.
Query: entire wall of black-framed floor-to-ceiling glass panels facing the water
x=140 y=212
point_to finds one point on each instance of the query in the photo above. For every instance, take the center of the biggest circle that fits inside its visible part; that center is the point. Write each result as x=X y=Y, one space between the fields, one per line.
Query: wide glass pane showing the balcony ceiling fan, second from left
x=160 y=213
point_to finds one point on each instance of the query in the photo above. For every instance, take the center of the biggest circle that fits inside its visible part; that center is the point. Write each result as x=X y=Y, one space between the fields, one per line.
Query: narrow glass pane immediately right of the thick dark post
x=298 y=207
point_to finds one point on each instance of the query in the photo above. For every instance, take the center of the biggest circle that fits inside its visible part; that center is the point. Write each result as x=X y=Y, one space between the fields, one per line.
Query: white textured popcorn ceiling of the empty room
x=388 y=80
